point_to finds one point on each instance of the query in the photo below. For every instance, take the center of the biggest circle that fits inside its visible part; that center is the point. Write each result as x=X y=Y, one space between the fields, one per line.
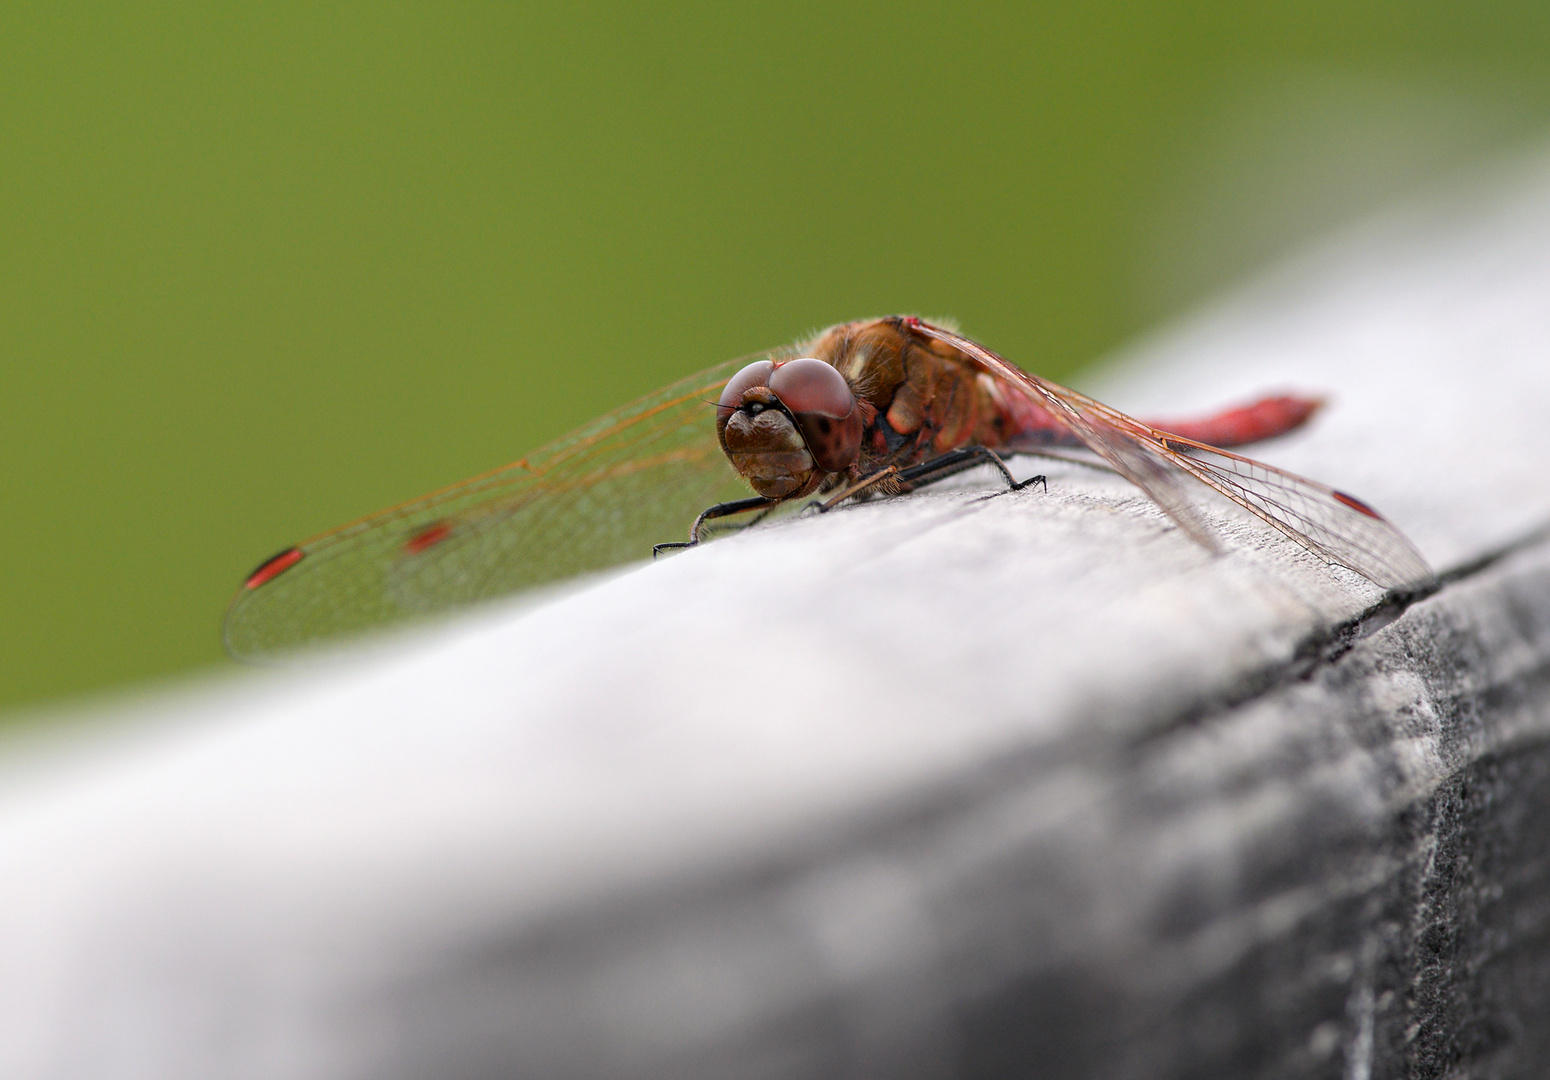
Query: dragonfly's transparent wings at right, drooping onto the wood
x=1329 y=523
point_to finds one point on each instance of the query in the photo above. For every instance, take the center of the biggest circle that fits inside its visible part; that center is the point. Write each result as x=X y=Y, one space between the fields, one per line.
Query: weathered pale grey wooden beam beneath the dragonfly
x=962 y=785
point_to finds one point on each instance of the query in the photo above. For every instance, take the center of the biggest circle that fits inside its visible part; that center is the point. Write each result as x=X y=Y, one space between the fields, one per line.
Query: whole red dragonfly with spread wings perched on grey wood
x=867 y=408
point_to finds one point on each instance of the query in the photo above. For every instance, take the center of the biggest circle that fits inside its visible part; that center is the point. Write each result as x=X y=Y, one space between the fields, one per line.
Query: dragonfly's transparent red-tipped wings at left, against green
x=598 y=498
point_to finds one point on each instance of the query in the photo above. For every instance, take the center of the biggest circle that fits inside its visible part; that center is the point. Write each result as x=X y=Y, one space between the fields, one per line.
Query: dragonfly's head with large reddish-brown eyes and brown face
x=787 y=427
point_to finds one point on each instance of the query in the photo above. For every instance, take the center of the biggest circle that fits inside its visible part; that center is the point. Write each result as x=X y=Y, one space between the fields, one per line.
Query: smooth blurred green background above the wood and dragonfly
x=264 y=270
